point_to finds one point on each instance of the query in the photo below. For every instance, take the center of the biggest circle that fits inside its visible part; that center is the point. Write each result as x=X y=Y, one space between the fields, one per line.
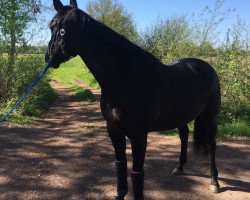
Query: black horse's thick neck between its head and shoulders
x=112 y=61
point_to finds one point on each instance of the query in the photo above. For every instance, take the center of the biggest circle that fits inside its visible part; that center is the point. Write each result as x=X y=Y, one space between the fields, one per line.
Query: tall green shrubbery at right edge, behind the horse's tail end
x=233 y=66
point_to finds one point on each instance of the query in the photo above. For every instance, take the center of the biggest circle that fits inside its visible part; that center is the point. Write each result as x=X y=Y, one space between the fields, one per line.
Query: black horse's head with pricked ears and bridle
x=65 y=27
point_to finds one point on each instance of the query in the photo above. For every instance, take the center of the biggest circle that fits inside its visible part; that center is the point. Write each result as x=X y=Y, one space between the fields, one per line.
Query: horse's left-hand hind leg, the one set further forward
x=183 y=133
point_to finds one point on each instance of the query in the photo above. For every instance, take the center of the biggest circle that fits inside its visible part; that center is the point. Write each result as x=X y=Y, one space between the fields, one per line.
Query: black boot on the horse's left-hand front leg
x=122 y=182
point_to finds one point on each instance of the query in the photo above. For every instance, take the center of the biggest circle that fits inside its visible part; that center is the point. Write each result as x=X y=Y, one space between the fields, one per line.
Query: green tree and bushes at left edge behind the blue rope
x=17 y=71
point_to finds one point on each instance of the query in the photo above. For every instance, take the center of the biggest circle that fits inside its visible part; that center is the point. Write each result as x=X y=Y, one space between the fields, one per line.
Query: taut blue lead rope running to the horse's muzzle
x=28 y=91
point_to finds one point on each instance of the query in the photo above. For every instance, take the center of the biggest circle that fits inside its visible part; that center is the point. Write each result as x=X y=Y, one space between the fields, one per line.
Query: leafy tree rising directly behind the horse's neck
x=114 y=15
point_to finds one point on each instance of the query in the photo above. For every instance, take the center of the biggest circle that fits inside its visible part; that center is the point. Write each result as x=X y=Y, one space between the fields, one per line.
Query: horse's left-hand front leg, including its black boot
x=119 y=143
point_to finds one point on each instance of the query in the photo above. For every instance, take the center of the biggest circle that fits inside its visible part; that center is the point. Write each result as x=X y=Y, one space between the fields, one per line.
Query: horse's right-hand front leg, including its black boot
x=139 y=144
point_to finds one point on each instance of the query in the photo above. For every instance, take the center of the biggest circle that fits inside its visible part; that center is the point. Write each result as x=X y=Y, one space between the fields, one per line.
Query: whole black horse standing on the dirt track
x=139 y=93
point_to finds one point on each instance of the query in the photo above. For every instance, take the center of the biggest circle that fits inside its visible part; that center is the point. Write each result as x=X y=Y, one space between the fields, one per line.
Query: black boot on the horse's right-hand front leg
x=138 y=184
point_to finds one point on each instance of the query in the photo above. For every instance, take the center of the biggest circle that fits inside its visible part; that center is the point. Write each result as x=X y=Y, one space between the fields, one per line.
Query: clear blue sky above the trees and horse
x=146 y=12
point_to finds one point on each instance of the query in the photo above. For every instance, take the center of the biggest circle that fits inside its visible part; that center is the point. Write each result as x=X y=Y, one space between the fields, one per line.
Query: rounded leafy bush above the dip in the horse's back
x=170 y=39
